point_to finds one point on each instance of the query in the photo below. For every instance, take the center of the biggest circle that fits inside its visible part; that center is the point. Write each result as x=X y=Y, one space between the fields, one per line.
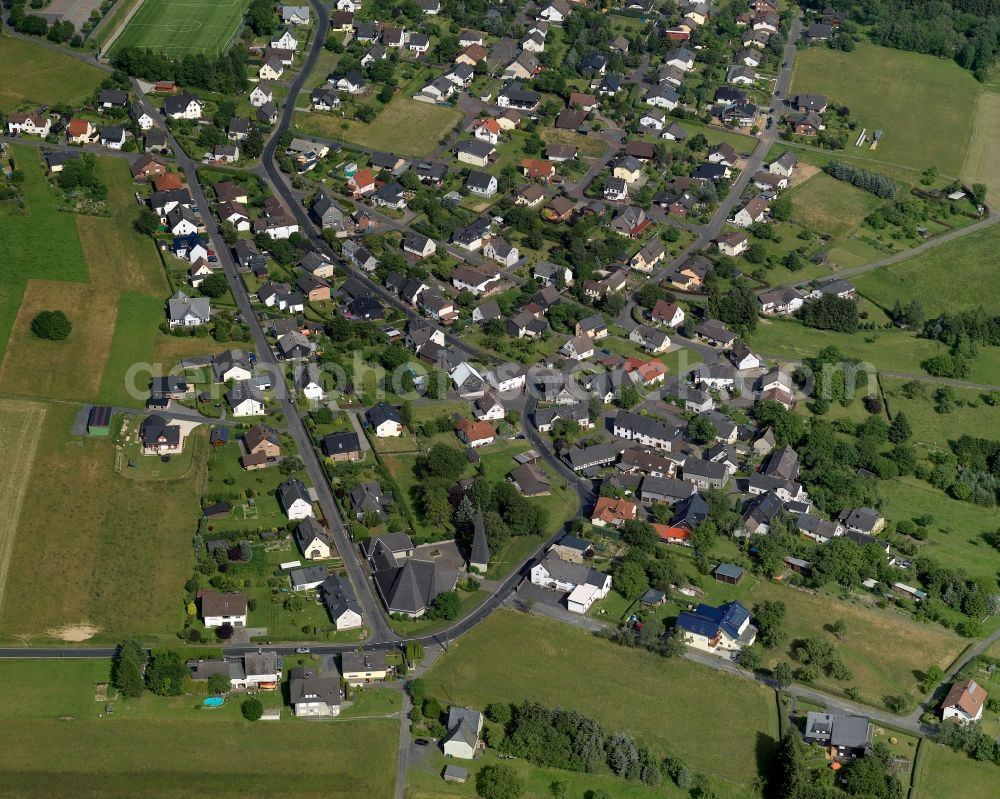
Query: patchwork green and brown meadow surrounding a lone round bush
x=93 y=361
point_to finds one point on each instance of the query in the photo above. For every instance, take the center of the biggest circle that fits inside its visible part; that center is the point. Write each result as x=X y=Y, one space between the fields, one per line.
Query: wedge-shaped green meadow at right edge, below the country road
x=966 y=266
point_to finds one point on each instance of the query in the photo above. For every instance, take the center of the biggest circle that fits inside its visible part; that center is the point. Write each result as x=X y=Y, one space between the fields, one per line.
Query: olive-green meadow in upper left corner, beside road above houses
x=53 y=79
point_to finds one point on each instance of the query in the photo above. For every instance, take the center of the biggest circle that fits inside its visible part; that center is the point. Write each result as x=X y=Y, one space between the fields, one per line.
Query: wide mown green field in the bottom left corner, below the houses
x=165 y=747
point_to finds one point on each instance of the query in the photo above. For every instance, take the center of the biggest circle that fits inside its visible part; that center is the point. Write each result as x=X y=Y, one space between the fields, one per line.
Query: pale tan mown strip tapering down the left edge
x=19 y=459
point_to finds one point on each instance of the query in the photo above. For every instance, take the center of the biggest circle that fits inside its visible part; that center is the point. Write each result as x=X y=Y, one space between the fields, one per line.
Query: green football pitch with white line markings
x=177 y=27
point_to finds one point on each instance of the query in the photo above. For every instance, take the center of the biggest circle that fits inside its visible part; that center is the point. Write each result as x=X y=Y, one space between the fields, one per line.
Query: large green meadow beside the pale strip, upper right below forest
x=892 y=90
